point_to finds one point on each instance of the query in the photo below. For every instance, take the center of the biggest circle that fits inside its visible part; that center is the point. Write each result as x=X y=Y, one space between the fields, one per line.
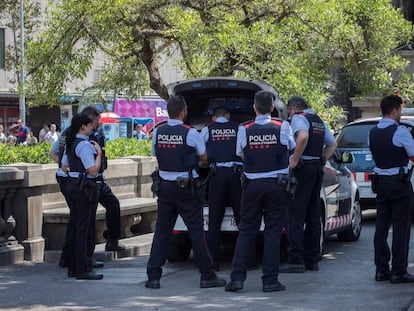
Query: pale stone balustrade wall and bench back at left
x=26 y=190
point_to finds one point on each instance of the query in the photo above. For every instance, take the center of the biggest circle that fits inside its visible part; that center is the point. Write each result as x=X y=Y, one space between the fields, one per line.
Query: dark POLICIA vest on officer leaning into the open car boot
x=221 y=144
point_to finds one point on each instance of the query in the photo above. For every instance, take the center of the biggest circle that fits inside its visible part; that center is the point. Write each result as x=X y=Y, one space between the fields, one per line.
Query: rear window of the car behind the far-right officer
x=354 y=136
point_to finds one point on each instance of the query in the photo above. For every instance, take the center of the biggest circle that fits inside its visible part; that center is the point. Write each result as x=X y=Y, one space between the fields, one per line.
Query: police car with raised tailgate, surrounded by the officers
x=341 y=213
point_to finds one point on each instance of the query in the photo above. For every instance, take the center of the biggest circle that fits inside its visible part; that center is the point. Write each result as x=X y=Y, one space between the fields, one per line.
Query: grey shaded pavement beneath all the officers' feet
x=344 y=282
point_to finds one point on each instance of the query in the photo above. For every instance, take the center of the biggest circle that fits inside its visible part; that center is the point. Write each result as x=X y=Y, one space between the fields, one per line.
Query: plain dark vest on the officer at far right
x=385 y=153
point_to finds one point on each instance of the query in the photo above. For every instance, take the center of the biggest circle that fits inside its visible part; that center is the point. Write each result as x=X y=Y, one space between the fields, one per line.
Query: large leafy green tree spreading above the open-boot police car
x=294 y=45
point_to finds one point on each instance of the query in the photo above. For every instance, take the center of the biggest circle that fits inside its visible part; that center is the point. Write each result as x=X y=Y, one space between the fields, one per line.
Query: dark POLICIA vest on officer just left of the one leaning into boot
x=171 y=149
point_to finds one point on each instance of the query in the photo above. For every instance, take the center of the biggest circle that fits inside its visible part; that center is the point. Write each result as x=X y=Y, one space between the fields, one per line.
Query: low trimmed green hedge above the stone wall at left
x=39 y=153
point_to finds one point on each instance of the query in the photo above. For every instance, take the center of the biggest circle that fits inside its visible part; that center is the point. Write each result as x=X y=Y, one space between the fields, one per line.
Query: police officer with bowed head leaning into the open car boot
x=224 y=176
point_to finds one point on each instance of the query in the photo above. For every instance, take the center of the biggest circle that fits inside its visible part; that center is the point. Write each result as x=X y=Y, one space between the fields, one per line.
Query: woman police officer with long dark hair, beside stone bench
x=84 y=159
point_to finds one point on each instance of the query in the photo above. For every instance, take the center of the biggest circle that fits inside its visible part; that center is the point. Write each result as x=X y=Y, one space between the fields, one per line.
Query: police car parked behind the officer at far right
x=353 y=138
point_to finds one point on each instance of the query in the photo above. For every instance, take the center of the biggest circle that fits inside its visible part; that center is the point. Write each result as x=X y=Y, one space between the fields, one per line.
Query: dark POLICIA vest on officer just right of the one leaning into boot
x=264 y=152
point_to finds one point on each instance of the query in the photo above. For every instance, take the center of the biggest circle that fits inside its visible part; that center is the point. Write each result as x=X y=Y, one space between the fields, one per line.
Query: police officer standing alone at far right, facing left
x=391 y=146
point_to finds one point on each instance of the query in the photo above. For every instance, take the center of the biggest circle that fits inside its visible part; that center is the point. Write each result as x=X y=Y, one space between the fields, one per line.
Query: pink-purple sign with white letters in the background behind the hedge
x=155 y=109
